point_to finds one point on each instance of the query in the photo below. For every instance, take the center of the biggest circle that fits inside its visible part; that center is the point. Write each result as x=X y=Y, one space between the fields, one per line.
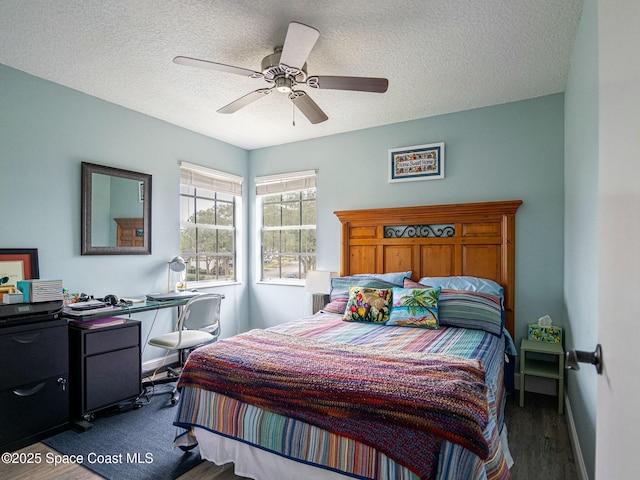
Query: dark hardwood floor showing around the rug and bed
x=538 y=440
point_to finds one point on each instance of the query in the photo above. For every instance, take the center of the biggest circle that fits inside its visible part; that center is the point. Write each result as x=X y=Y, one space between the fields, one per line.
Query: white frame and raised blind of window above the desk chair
x=219 y=182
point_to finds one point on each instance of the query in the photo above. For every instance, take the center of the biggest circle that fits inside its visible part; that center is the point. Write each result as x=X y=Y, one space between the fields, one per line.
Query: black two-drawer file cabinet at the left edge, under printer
x=34 y=366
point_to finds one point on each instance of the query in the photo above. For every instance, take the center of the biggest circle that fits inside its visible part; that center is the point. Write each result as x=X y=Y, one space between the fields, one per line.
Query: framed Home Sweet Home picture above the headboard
x=419 y=162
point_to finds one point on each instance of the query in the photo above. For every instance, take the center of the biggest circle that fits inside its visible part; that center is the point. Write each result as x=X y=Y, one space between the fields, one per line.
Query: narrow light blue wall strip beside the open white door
x=581 y=224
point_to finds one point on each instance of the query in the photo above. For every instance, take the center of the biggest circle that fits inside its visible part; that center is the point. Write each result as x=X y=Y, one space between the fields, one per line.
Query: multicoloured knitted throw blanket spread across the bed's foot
x=402 y=403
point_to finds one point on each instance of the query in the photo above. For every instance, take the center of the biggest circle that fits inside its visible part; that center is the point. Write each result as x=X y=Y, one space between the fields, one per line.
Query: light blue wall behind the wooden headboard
x=504 y=152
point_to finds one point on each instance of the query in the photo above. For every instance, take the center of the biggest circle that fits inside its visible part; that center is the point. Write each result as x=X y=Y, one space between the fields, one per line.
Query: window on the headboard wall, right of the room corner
x=288 y=225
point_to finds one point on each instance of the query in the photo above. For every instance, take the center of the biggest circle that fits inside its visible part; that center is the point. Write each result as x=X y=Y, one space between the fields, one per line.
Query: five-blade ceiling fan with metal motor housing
x=286 y=69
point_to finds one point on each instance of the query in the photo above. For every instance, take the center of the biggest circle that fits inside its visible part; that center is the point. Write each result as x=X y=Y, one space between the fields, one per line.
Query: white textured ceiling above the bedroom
x=440 y=56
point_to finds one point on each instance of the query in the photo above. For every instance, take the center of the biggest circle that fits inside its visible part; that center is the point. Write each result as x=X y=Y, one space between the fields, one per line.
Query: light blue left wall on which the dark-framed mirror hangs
x=46 y=131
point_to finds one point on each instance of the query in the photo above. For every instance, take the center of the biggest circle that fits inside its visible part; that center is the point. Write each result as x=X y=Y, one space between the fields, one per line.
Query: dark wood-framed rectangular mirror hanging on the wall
x=116 y=211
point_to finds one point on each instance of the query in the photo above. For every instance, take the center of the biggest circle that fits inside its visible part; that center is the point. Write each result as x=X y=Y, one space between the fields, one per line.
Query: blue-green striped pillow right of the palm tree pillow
x=467 y=309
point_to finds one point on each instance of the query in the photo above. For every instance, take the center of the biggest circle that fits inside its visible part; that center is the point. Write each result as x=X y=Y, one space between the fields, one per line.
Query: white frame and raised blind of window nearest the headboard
x=272 y=185
